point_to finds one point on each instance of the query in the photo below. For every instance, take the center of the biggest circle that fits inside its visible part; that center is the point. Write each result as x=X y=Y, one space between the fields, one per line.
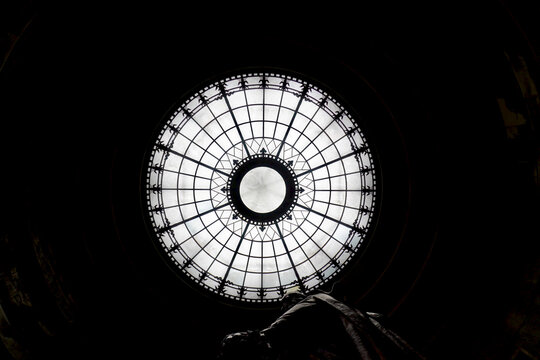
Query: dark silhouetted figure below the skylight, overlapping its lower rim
x=318 y=327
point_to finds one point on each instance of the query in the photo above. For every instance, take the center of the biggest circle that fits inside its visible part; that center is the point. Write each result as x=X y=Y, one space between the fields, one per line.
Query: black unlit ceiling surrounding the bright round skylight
x=454 y=258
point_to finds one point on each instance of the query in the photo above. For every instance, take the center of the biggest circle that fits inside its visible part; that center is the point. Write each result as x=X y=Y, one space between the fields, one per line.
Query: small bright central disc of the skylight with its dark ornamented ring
x=262 y=189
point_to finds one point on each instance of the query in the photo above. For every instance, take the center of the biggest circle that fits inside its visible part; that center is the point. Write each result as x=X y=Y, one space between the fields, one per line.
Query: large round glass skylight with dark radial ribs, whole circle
x=206 y=227
